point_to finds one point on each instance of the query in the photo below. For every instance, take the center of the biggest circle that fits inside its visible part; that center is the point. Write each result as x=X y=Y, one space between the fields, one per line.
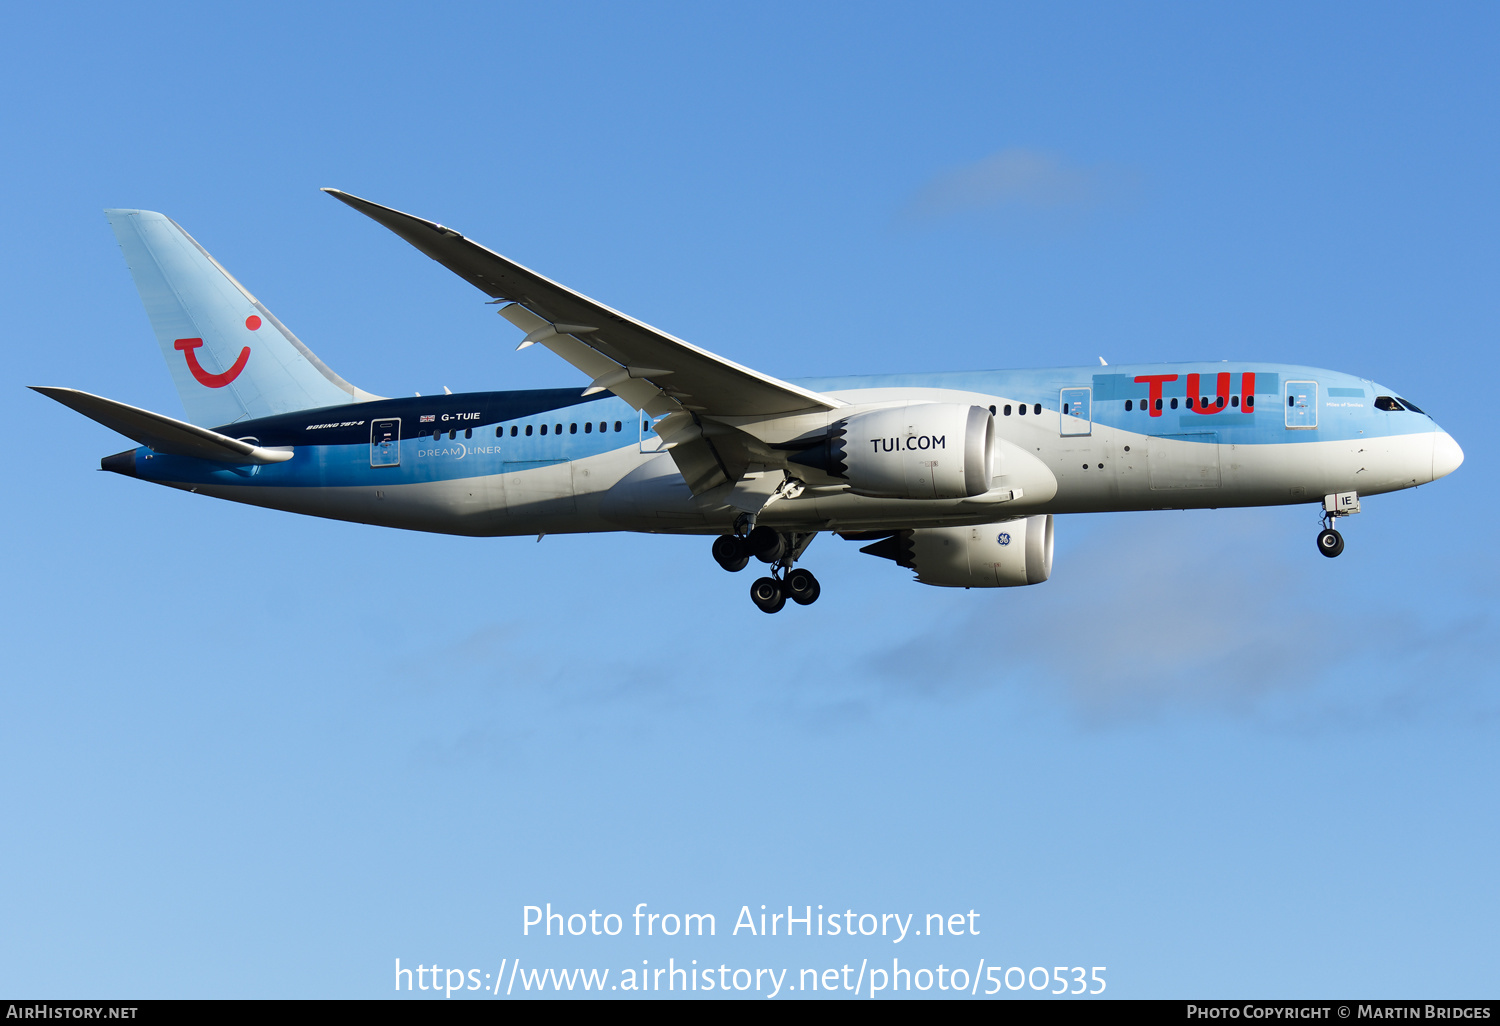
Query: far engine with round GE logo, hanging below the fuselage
x=991 y=556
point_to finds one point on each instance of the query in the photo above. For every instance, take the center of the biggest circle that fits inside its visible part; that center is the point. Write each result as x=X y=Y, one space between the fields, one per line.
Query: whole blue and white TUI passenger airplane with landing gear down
x=953 y=476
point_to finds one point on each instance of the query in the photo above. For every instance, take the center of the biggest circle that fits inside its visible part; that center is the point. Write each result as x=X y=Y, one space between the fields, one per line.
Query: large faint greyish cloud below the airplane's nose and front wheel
x=1213 y=613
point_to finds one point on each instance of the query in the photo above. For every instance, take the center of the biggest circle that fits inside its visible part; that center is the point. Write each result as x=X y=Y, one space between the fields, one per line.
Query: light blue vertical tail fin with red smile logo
x=229 y=356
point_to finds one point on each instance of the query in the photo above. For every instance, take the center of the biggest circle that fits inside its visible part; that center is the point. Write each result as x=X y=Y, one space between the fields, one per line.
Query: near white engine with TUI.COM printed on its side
x=923 y=451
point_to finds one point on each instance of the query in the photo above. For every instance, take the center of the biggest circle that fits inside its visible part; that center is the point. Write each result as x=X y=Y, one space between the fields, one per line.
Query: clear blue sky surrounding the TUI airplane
x=259 y=755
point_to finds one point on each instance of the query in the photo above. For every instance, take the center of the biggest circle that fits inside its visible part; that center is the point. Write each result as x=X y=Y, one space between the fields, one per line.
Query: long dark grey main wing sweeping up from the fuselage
x=647 y=368
